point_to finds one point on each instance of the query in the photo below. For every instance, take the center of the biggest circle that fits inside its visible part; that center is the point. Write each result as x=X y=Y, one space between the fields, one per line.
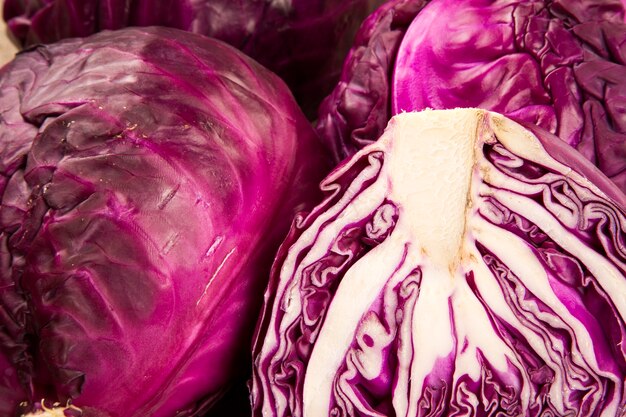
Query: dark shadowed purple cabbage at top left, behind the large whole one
x=303 y=41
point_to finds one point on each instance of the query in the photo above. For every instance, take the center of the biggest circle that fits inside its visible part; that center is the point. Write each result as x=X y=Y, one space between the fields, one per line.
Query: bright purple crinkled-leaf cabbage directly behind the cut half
x=561 y=65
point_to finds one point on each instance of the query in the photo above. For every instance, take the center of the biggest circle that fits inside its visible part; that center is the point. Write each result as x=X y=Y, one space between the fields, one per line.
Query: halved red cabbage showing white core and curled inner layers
x=462 y=265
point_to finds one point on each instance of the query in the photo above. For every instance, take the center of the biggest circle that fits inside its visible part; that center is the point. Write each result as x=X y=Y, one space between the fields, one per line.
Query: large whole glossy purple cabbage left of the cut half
x=148 y=176
